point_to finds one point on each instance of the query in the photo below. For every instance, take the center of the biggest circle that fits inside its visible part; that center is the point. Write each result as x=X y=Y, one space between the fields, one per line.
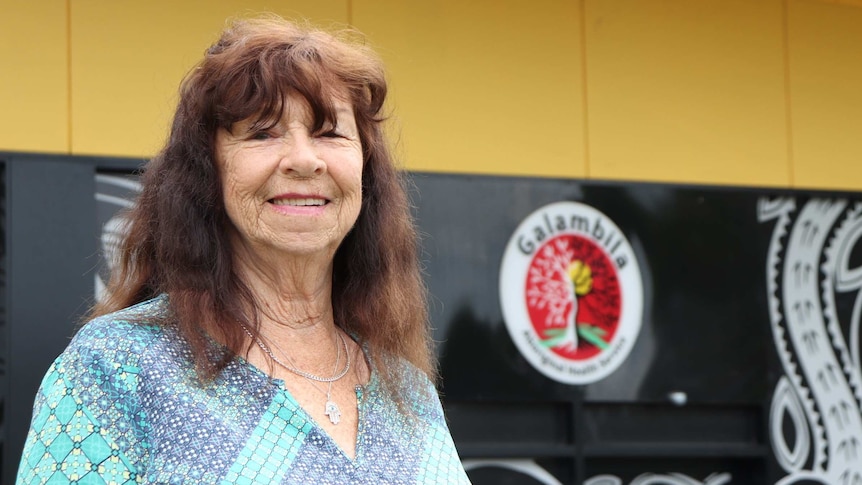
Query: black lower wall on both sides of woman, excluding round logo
x=694 y=402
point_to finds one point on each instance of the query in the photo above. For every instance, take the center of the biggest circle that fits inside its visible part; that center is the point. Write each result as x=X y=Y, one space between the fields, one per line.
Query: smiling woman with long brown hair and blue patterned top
x=267 y=321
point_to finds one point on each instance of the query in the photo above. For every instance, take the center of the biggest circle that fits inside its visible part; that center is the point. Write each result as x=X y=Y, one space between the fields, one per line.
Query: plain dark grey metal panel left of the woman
x=51 y=238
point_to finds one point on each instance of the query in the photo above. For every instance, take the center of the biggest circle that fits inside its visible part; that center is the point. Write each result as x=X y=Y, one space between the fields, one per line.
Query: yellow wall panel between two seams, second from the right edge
x=686 y=91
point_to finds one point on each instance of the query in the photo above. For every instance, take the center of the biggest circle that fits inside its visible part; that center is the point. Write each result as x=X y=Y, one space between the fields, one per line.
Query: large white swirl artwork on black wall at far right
x=813 y=262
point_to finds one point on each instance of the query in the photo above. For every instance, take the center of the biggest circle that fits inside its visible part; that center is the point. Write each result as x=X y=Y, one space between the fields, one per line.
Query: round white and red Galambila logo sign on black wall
x=571 y=292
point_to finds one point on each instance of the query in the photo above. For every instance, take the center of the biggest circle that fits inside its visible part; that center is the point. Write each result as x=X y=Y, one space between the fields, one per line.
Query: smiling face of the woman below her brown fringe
x=287 y=190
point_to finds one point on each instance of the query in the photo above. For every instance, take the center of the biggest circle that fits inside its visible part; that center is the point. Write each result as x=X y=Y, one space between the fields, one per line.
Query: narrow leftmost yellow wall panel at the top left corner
x=34 y=107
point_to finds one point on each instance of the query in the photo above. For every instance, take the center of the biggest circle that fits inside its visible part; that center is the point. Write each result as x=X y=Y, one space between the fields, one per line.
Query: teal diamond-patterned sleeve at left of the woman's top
x=76 y=433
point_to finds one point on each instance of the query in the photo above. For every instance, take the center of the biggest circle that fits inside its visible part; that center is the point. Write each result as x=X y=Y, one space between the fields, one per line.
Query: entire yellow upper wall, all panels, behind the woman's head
x=714 y=91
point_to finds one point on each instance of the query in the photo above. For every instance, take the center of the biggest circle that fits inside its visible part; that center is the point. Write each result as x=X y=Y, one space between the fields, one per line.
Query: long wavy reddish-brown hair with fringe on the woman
x=178 y=243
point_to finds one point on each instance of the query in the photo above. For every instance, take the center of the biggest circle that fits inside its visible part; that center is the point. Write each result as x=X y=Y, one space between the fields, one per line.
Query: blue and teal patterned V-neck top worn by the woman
x=123 y=404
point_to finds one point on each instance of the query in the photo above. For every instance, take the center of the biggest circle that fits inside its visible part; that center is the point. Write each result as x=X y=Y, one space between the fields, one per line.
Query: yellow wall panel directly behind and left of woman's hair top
x=128 y=59
